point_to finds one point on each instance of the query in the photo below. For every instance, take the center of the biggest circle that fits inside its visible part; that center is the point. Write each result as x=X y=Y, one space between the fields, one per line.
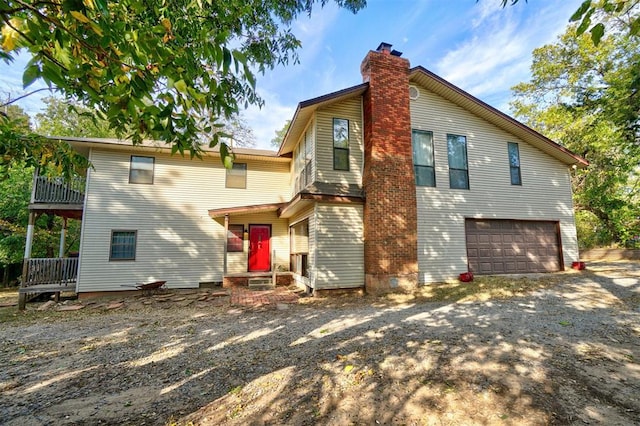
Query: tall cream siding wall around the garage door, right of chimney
x=545 y=193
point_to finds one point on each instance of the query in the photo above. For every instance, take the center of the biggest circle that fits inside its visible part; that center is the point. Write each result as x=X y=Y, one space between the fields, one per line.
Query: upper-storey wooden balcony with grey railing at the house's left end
x=56 y=195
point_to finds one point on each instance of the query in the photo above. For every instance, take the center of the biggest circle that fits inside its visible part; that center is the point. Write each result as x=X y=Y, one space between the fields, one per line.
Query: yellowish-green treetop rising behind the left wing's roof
x=61 y=118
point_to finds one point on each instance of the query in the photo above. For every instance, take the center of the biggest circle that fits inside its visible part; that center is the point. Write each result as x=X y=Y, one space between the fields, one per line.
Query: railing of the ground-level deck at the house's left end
x=58 y=271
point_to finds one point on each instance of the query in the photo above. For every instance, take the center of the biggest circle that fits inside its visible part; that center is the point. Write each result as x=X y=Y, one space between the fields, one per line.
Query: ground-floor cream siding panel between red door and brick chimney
x=340 y=246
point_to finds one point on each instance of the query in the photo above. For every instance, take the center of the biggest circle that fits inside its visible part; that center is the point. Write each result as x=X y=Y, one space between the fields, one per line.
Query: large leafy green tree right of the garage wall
x=586 y=97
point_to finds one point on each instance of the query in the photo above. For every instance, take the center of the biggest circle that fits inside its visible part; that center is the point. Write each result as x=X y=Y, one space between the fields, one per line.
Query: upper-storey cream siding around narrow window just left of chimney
x=351 y=110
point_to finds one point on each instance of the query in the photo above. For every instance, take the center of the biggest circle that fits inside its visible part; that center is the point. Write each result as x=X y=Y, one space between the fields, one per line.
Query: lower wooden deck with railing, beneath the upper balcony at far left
x=45 y=275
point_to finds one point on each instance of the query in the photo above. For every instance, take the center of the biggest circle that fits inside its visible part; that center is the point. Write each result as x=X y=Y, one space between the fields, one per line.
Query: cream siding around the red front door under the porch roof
x=237 y=262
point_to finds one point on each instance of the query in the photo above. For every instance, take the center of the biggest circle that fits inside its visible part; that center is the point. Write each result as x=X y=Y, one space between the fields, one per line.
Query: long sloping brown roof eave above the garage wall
x=442 y=87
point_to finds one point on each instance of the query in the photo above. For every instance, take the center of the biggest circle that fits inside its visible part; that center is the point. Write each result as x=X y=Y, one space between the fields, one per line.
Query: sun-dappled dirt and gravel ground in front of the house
x=555 y=349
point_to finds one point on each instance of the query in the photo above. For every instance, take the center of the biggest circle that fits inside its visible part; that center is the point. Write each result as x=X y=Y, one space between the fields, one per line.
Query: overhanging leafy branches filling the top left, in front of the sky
x=168 y=70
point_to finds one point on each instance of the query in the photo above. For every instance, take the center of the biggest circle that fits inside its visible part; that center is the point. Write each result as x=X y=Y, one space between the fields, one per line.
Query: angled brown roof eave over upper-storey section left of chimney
x=306 y=109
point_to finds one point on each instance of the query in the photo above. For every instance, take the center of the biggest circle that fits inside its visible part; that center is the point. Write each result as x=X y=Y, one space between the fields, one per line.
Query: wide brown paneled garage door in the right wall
x=512 y=246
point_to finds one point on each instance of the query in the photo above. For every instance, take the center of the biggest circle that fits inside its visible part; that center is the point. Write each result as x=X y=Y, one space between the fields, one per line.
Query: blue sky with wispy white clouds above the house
x=477 y=46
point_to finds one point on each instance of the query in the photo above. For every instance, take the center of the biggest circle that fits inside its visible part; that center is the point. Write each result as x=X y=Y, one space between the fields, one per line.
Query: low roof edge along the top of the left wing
x=83 y=144
